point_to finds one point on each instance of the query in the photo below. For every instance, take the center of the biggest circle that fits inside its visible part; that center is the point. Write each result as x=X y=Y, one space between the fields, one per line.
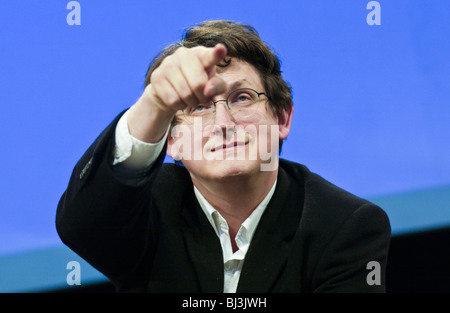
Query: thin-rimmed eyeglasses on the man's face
x=239 y=103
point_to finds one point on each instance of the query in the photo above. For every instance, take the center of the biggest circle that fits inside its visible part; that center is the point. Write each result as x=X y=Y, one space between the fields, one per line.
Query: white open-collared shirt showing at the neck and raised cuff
x=136 y=154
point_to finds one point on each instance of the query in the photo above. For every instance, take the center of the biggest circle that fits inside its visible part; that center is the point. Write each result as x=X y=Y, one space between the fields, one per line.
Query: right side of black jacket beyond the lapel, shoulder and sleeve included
x=338 y=233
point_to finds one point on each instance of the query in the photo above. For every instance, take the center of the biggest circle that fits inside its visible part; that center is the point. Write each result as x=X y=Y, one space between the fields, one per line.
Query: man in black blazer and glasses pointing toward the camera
x=229 y=216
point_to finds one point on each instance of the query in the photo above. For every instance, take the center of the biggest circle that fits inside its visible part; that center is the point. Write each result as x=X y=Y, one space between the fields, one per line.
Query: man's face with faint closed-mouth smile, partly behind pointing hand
x=230 y=145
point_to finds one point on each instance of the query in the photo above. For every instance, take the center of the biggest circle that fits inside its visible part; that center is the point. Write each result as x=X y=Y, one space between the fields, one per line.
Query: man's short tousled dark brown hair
x=243 y=43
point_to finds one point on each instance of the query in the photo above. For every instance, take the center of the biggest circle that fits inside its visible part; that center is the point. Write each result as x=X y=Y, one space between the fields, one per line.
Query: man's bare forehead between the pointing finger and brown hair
x=240 y=74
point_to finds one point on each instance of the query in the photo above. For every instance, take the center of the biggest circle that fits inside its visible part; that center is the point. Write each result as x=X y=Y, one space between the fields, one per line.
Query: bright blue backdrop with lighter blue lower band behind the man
x=371 y=103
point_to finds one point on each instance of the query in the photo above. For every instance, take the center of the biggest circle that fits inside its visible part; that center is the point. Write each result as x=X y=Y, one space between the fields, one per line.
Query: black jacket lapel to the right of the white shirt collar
x=269 y=248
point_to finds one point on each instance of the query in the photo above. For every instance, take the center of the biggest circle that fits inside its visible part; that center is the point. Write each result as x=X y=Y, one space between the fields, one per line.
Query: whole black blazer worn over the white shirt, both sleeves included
x=150 y=234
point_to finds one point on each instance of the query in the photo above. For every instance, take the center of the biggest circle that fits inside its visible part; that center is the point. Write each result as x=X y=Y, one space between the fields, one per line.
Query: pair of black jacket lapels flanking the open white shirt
x=268 y=250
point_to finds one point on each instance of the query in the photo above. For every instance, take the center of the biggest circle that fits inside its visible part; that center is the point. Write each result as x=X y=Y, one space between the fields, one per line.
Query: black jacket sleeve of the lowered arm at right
x=355 y=259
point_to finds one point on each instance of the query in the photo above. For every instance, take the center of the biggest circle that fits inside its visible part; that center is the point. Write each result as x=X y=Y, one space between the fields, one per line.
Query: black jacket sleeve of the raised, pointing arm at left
x=107 y=220
